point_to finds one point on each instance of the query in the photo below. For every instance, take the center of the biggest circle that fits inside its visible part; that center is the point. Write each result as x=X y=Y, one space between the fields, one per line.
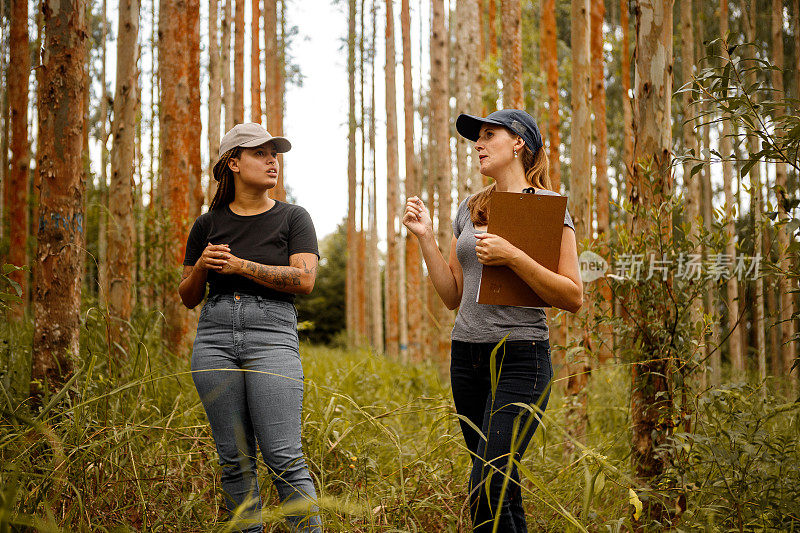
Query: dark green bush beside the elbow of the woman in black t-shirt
x=323 y=310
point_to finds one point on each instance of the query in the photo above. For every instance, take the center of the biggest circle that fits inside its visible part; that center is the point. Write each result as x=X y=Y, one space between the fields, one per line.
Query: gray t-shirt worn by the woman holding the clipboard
x=490 y=323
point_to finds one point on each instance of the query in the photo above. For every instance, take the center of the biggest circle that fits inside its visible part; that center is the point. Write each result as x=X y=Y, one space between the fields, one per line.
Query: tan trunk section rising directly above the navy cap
x=512 y=54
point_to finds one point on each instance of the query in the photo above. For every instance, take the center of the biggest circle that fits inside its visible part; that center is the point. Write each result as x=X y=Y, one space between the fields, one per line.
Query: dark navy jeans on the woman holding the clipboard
x=524 y=373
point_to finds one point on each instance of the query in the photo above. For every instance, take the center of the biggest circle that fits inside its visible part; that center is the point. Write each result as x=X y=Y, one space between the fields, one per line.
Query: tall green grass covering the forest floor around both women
x=126 y=447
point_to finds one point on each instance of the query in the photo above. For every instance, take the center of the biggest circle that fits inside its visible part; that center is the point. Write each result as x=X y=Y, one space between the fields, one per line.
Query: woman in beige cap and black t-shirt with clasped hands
x=255 y=254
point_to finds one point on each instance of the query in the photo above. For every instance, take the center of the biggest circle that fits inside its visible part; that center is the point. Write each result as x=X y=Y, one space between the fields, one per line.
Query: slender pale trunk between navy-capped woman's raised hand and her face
x=440 y=138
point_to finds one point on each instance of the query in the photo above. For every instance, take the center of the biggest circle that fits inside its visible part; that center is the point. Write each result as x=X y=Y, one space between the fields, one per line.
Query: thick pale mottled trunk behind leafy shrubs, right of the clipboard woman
x=651 y=403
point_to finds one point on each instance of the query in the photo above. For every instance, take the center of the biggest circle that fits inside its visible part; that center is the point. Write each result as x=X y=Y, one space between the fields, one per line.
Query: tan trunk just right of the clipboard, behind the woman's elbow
x=580 y=192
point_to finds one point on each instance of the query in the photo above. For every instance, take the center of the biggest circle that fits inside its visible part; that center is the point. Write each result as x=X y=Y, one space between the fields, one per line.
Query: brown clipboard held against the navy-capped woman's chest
x=534 y=224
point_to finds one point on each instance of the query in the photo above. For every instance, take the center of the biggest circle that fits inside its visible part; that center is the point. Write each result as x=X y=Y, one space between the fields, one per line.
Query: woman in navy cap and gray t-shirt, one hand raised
x=509 y=148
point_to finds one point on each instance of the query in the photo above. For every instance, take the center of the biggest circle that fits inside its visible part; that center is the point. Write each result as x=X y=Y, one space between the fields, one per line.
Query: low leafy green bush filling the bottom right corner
x=740 y=468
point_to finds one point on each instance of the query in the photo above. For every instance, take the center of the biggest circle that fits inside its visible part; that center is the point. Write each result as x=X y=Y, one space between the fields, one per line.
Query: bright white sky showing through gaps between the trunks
x=315 y=117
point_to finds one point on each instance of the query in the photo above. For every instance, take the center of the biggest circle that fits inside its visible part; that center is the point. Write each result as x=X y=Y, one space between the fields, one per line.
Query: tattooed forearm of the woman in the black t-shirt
x=297 y=278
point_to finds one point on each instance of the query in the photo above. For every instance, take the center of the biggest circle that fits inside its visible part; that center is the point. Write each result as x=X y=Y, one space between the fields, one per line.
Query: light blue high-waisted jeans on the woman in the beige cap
x=246 y=367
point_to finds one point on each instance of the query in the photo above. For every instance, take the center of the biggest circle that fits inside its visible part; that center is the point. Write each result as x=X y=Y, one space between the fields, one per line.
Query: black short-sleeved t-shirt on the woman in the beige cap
x=268 y=238
